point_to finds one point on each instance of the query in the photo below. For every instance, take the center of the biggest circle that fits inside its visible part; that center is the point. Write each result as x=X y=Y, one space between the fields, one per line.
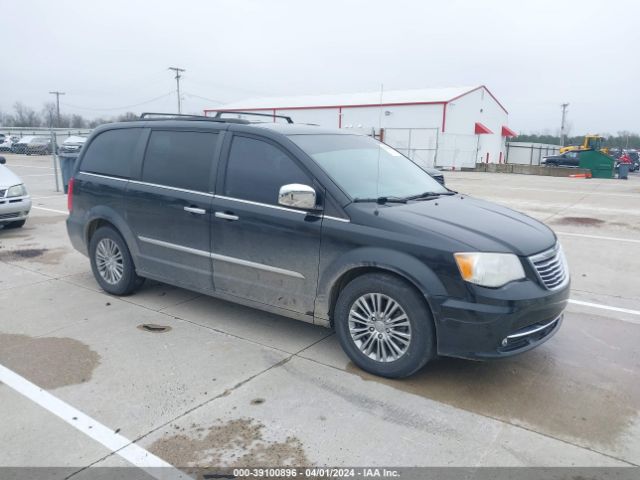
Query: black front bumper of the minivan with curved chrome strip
x=501 y=322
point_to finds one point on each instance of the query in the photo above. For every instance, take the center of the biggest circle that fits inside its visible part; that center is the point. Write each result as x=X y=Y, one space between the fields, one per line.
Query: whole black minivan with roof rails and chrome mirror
x=324 y=226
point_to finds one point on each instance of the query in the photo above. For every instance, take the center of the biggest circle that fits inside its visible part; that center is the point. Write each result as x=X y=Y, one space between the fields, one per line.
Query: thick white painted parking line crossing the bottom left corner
x=115 y=442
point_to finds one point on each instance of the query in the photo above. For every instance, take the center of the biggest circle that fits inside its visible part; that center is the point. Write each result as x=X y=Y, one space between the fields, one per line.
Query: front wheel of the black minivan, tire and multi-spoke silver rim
x=395 y=359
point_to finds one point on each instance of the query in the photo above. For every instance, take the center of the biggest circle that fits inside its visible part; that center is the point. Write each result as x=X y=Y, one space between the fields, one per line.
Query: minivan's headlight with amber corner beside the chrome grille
x=489 y=269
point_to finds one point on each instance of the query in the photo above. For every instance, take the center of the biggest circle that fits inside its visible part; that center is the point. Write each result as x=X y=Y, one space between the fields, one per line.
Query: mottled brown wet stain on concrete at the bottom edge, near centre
x=236 y=443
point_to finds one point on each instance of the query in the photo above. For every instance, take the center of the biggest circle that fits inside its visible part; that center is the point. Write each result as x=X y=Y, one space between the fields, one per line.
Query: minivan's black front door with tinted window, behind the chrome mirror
x=262 y=251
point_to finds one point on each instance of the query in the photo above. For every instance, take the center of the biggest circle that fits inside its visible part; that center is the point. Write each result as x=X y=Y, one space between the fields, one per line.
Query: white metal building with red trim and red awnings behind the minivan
x=445 y=127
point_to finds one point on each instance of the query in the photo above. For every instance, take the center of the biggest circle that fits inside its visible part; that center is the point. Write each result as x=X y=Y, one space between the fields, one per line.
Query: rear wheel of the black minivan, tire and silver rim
x=112 y=264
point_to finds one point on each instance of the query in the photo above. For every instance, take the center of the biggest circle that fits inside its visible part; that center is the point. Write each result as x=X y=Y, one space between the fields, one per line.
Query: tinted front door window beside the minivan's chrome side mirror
x=256 y=170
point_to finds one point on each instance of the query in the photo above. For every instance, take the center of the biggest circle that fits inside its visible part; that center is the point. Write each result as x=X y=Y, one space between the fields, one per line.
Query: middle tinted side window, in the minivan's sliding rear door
x=180 y=159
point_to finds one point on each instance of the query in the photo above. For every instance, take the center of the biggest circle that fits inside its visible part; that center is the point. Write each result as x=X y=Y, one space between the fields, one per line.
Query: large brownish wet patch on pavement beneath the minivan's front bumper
x=583 y=384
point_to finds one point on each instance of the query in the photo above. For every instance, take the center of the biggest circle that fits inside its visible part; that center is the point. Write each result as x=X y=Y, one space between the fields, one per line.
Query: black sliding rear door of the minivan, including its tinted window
x=169 y=208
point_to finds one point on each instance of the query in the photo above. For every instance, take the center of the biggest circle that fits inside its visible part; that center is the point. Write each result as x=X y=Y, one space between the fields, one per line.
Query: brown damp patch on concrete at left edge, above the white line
x=49 y=362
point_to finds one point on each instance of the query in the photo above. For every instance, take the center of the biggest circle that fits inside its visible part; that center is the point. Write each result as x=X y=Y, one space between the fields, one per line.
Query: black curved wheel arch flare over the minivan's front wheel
x=403 y=264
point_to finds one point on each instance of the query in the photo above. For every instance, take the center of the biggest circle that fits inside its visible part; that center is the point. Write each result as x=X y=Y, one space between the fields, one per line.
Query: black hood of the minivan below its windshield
x=482 y=226
